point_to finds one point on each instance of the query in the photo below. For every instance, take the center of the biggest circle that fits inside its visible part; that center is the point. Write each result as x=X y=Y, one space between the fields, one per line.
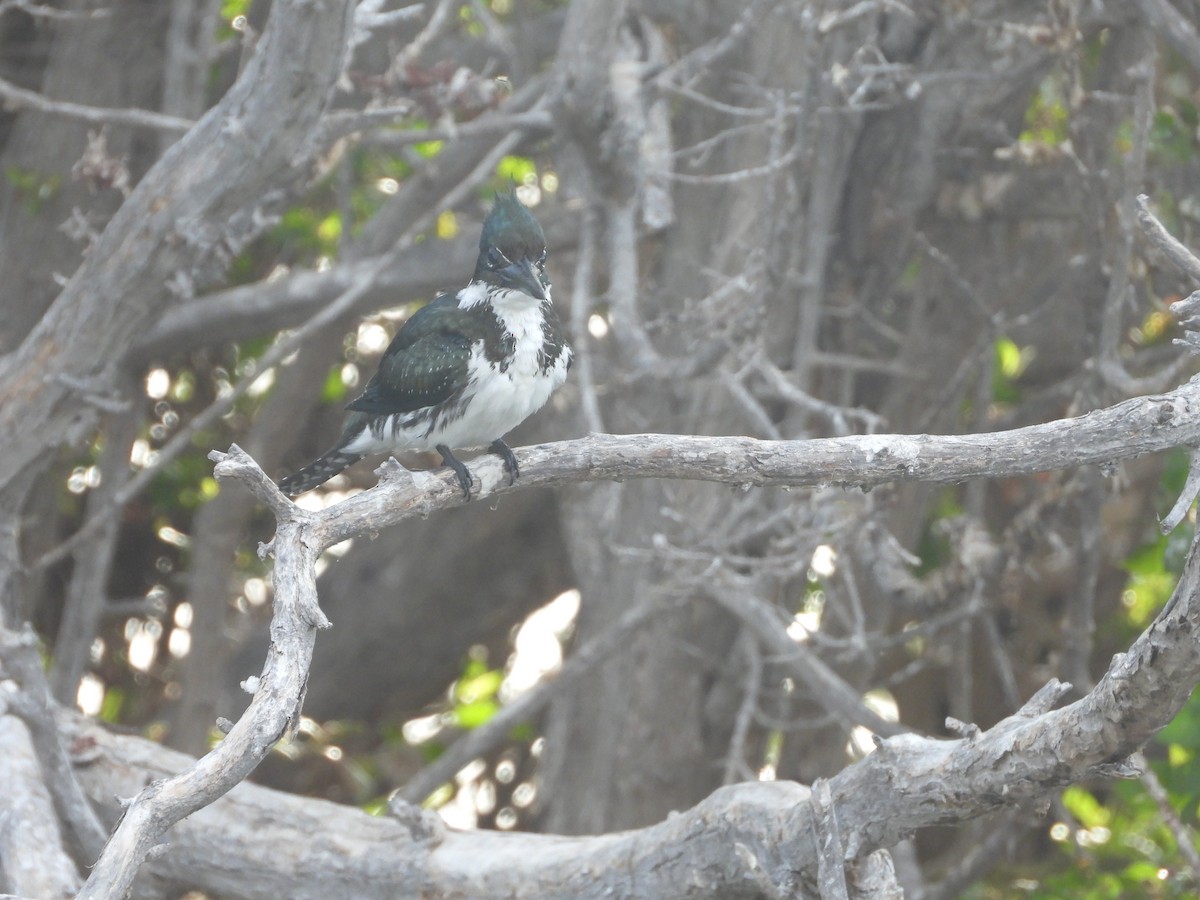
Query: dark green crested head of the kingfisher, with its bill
x=513 y=249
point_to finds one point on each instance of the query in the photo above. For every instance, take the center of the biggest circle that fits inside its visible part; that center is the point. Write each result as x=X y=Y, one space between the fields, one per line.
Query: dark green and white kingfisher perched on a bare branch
x=467 y=368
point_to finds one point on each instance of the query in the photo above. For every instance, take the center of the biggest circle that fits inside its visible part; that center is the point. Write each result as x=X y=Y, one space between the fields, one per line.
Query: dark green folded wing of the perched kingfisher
x=425 y=365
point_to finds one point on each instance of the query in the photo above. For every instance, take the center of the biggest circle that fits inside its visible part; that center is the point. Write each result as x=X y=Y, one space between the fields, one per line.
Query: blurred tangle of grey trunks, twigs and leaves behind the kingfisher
x=777 y=219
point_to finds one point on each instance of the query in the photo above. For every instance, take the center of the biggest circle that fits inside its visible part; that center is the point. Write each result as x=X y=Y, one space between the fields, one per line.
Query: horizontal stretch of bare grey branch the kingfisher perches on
x=1131 y=429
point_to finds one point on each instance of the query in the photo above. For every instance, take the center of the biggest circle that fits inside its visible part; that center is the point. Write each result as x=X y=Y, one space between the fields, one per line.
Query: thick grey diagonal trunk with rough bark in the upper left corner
x=178 y=229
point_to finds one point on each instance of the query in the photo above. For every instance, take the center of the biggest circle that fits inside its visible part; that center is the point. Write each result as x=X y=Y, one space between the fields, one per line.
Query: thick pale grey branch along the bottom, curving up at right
x=746 y=835
